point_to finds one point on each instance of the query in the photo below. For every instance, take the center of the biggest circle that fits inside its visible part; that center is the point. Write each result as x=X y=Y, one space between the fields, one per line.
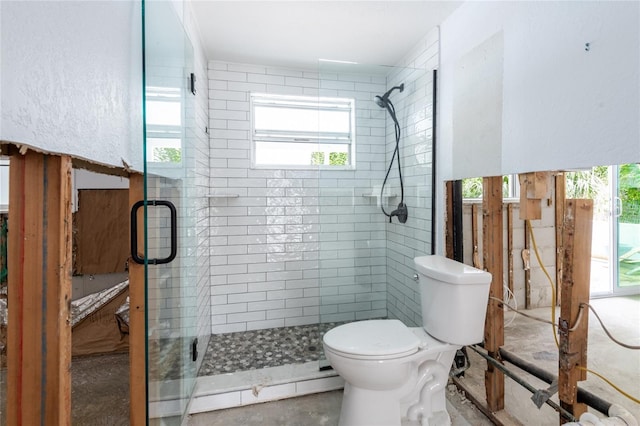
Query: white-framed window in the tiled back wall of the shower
x=295 y=131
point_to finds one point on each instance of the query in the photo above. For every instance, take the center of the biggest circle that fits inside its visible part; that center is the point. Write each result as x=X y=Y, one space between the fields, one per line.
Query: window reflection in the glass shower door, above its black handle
x=164 y=121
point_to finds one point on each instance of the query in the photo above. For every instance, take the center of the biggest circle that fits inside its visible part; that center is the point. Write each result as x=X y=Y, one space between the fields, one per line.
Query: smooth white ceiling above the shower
x=298 y=33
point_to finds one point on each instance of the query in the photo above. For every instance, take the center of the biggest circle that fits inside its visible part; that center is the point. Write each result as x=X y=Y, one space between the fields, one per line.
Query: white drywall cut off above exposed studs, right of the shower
x=570 y=92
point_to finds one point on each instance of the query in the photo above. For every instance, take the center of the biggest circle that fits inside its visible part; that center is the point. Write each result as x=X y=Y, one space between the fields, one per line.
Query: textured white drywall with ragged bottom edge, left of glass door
x=72 y=78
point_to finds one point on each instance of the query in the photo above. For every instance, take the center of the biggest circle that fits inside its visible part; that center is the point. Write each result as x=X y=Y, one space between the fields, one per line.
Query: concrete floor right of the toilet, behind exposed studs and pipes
x=533 y=341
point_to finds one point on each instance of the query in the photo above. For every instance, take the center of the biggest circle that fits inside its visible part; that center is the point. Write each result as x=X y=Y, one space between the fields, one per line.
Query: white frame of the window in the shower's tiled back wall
x=302 y=137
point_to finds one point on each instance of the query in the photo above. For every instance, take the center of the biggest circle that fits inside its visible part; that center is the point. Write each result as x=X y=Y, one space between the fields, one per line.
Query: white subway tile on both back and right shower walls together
x=295 y=247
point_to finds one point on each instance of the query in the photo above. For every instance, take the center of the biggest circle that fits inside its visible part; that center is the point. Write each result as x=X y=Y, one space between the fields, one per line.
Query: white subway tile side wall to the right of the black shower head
x=404 y=242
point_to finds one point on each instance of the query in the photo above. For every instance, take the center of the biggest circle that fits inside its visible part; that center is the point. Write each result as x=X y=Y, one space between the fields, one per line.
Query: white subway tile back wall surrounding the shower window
x=296 y=246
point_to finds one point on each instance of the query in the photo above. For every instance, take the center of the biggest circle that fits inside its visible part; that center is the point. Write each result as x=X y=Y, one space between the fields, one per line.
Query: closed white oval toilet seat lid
x=373 y=339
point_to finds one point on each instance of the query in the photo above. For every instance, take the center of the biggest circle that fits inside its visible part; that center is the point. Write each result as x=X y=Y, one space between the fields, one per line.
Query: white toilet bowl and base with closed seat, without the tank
x=386 y=366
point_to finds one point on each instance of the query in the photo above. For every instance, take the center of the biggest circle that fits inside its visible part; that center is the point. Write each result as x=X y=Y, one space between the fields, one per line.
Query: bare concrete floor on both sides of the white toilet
x=530 y=340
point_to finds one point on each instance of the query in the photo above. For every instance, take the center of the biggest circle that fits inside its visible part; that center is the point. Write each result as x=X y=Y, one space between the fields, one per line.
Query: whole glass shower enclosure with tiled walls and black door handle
x=293 y=249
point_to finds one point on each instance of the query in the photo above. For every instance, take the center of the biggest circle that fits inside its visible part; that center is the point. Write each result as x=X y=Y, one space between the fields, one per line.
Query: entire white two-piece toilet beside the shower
x=397 y=375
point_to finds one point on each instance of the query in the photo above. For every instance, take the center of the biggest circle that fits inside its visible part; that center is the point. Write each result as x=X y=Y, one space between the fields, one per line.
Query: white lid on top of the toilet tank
x=451 y=271
